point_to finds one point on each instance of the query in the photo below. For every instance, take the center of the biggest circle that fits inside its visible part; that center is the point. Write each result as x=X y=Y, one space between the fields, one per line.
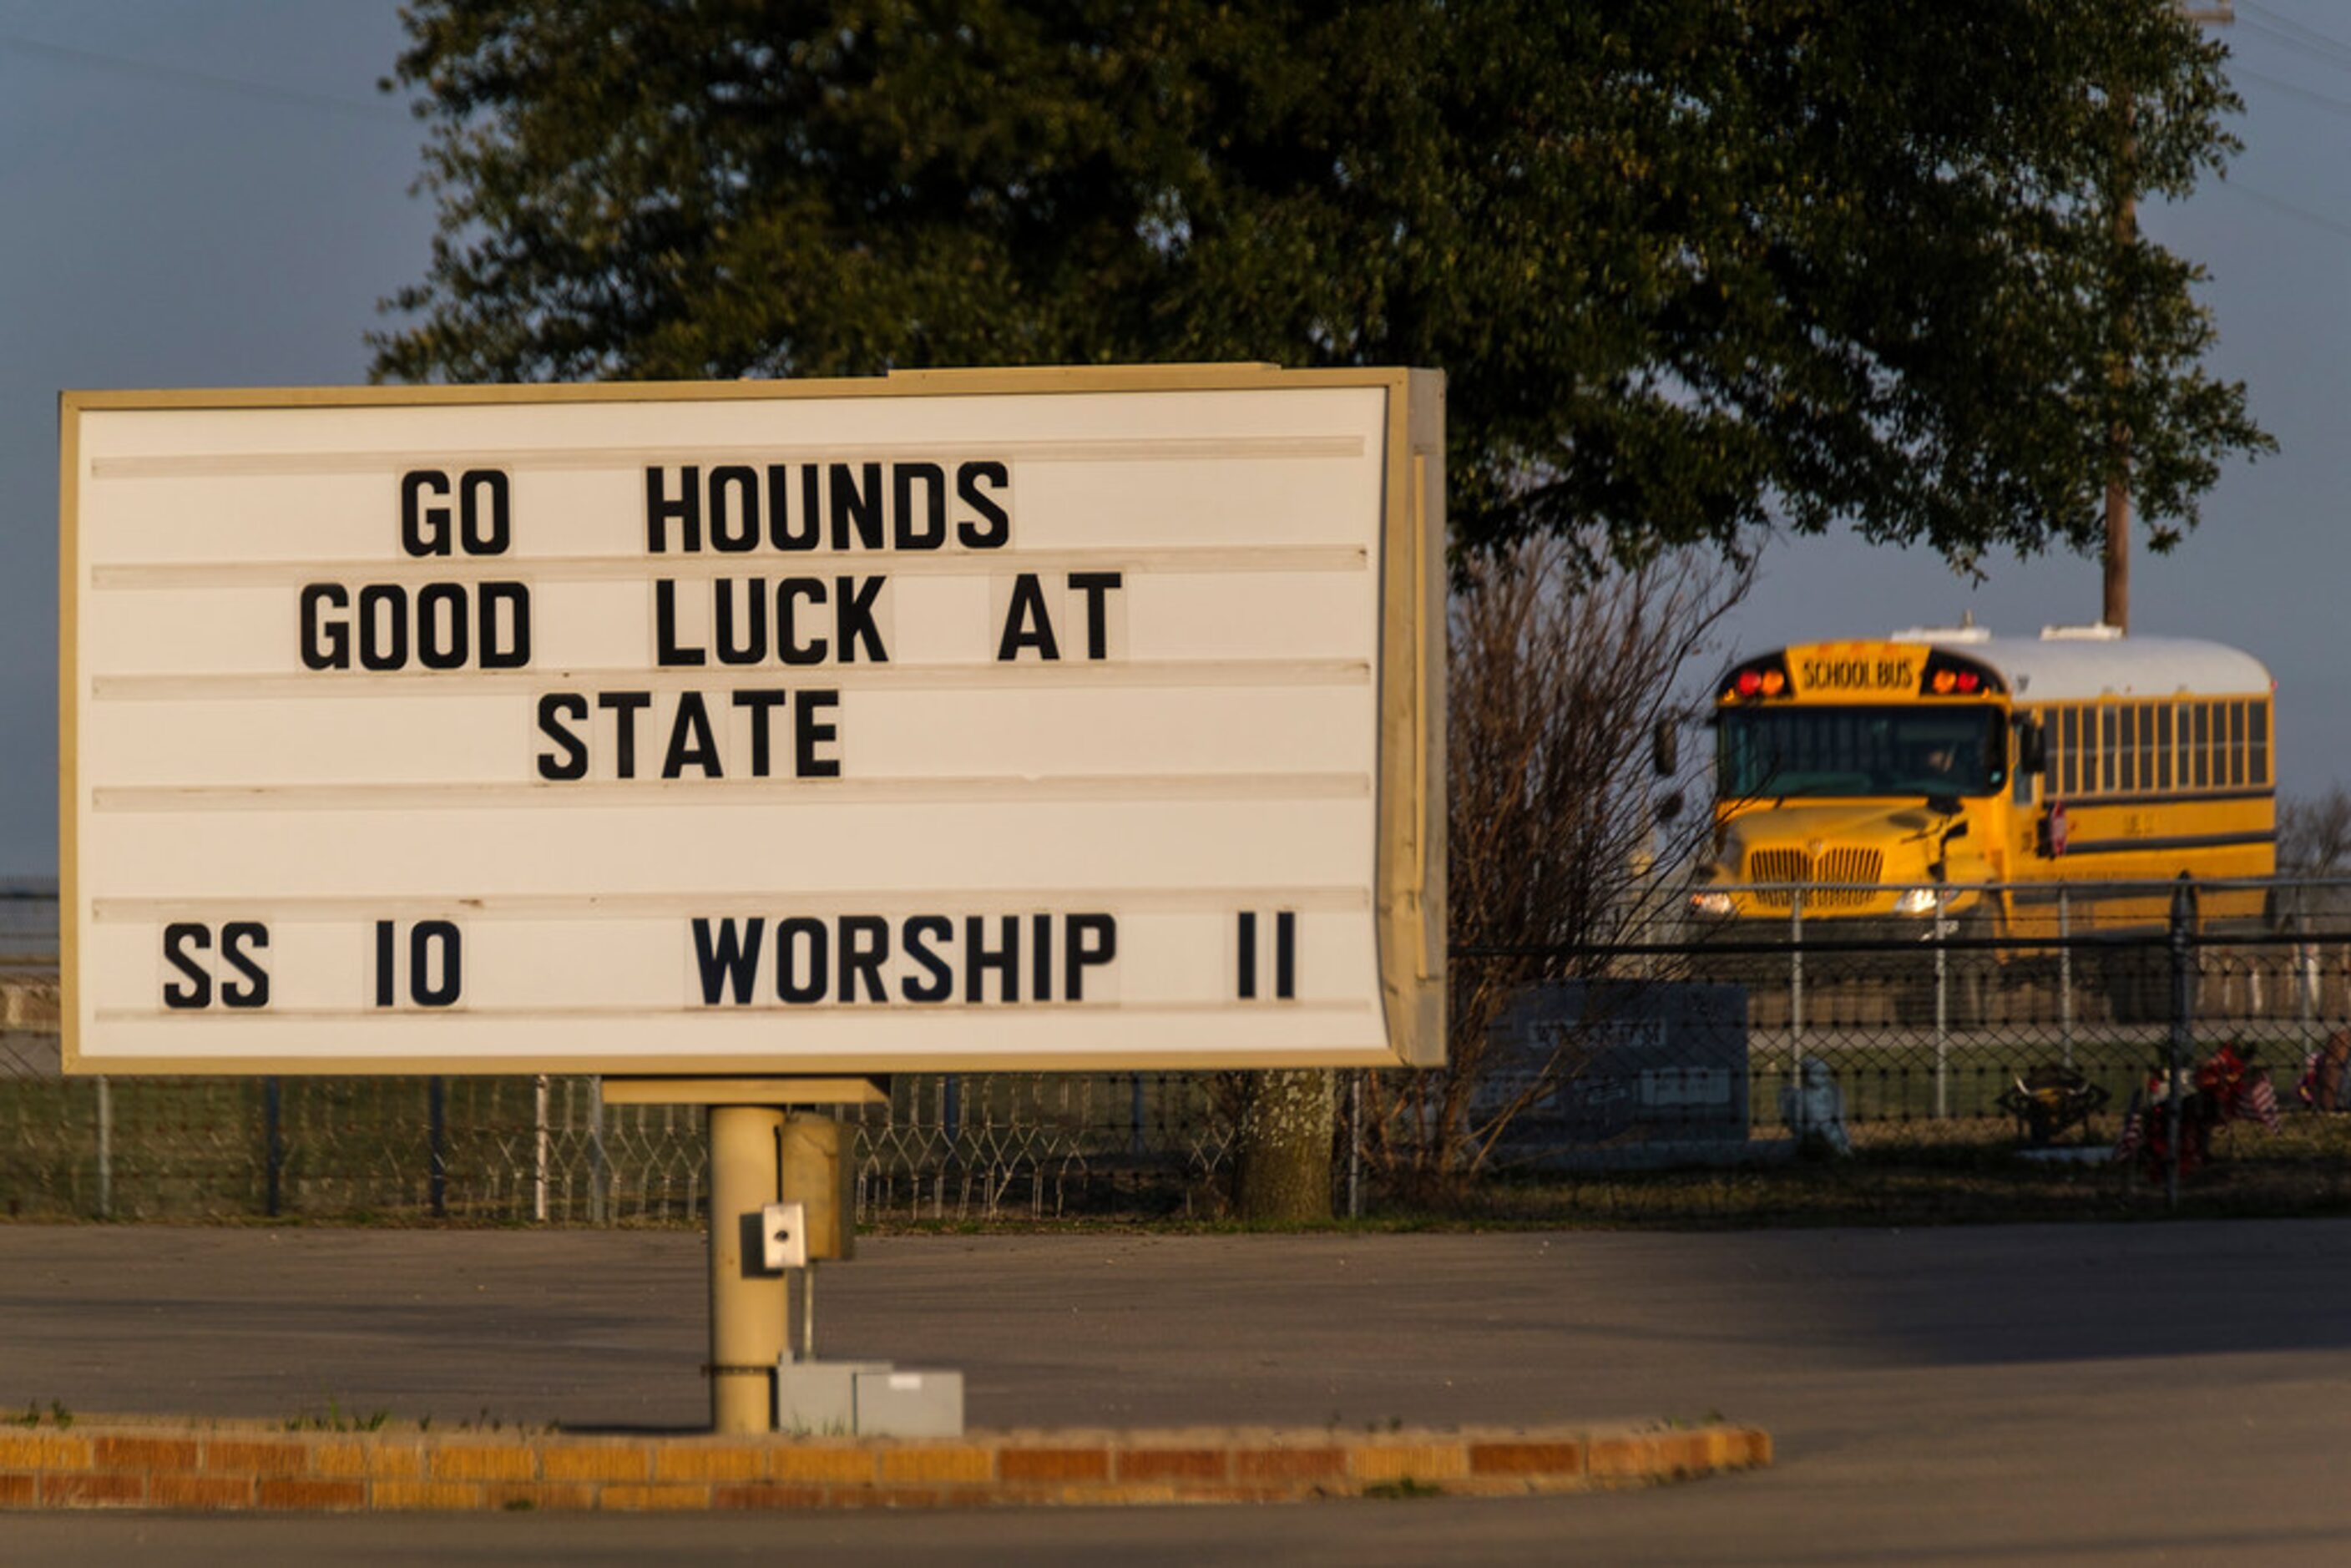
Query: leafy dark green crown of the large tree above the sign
x=1696 y=267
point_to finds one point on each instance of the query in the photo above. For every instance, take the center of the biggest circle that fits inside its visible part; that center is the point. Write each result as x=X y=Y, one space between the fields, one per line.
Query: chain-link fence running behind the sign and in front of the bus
x=2143 y=1033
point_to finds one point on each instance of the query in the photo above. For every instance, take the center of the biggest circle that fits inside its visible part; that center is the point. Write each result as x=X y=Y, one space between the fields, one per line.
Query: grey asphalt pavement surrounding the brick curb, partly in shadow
x=2072 y=1393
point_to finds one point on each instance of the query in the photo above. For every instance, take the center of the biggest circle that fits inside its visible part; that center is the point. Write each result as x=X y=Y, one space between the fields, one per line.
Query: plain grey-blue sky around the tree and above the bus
x=217 y=196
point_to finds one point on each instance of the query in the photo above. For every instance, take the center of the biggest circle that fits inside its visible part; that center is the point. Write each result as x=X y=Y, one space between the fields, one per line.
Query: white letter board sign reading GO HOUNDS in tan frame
x=937 y=723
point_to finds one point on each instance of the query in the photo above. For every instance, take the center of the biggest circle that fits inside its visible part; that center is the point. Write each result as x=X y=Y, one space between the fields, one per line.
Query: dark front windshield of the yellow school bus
x=1861 y=751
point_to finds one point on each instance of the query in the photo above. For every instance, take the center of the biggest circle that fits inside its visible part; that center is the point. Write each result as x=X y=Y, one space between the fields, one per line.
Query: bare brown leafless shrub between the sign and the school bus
x=1558 y=683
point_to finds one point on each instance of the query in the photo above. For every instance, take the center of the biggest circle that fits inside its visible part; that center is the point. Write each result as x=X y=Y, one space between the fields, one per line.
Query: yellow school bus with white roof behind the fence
x=1910 y=772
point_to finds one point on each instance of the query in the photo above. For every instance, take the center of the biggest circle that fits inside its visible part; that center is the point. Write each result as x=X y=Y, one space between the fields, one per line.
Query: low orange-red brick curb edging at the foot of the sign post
x=255 y=1468
